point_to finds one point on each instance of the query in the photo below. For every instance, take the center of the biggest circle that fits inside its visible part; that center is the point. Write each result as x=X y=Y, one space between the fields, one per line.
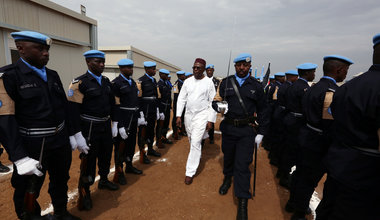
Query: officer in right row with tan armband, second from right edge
x=315 y=136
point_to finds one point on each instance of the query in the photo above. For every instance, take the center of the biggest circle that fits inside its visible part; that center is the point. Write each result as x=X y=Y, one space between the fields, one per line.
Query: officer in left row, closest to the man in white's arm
x=176 y=89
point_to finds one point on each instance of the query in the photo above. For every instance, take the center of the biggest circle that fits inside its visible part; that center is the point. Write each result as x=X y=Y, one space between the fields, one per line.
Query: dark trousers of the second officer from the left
x=100 y=149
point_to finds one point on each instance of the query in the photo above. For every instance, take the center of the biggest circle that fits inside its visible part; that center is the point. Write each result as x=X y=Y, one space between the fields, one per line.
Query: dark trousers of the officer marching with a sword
x=238 y=148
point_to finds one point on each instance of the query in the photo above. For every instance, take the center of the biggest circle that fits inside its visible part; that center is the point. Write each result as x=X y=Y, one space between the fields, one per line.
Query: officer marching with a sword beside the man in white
x=239 y=132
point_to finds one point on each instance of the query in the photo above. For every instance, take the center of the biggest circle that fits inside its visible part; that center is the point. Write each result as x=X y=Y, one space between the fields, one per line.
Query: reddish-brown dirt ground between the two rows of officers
x=160 y=193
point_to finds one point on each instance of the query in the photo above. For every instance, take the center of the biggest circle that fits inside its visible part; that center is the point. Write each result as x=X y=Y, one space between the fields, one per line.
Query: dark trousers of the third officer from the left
x=130 y=144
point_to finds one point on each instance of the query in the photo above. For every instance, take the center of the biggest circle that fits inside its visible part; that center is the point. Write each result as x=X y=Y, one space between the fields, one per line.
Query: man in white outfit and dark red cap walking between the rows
x=197 y=94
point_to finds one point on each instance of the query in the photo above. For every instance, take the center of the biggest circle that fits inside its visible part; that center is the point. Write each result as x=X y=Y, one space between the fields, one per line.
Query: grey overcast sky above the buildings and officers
x=283 y=32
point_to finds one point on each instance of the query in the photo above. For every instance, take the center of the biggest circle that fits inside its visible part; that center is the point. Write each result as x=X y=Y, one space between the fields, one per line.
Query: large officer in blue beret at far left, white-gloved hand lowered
x=34 y=128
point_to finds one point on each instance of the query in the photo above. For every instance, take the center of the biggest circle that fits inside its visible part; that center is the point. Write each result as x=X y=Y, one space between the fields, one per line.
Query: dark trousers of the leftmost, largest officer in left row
x=56 y=162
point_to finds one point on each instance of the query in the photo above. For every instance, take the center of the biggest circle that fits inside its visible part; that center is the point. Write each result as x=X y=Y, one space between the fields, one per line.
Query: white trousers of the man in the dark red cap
x=195 y=127
